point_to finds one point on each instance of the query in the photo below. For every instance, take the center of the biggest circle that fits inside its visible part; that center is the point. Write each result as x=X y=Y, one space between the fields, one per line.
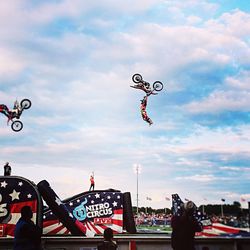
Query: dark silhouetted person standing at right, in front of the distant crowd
x=184 y=228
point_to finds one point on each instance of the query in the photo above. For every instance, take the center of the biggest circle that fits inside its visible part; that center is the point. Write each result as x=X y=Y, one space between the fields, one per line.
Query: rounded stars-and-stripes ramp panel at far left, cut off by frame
x=16 y=192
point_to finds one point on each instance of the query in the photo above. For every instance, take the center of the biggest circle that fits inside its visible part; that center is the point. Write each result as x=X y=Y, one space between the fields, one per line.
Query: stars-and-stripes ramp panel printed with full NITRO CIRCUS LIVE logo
x=92 y=211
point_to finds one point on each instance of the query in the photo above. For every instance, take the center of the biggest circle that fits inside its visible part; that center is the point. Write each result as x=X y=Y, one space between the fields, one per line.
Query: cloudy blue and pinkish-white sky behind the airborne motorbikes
x=74 y=59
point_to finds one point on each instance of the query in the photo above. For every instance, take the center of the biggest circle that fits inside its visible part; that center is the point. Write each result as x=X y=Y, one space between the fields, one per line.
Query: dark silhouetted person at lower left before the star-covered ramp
x=27 y=234
